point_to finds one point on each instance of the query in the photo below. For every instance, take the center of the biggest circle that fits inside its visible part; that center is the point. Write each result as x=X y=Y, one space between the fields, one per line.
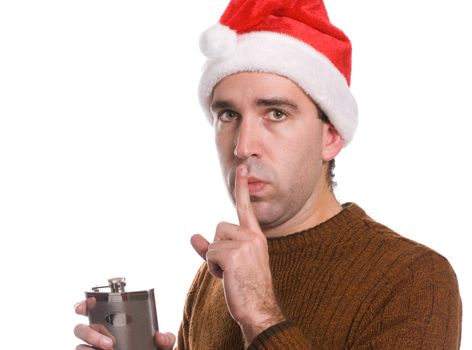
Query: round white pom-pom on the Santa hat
x=218 y=41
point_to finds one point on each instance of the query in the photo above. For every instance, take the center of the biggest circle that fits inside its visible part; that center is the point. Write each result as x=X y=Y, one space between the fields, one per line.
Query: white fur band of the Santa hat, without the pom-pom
x=284 y=55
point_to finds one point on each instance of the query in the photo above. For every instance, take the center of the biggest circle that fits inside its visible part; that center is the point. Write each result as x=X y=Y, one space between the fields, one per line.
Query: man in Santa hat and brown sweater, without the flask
x=299 y=270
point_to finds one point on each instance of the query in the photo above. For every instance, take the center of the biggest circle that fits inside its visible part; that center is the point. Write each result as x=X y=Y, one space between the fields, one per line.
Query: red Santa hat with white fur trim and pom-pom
x=294 y=39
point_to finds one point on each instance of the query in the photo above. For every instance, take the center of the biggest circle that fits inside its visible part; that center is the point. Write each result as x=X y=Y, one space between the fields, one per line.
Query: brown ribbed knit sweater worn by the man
x=348 y=283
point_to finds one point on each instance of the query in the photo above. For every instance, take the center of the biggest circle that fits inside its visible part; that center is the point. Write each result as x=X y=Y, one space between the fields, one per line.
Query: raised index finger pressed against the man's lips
x=246 y=216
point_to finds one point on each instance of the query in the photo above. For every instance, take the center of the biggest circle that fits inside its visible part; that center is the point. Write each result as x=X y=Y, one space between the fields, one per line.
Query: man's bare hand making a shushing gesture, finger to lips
x=240 y=257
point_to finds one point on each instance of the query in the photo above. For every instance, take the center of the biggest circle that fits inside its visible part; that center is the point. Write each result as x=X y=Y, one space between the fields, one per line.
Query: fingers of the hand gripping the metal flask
x=98 y=337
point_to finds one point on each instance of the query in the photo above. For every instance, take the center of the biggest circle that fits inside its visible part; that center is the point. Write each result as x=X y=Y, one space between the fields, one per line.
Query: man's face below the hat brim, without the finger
x=268 y=123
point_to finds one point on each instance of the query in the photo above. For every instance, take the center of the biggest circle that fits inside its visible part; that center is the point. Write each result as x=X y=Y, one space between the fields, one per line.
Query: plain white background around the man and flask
x=107 y=165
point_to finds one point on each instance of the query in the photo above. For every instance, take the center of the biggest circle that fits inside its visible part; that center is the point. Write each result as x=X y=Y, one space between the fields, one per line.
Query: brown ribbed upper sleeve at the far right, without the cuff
x=422 y=311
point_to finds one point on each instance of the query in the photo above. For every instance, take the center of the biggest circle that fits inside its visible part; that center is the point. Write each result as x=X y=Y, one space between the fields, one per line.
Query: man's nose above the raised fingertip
x=248 y=142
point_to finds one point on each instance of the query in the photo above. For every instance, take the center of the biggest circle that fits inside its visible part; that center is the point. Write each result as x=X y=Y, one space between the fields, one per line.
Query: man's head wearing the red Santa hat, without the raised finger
x=272 y=67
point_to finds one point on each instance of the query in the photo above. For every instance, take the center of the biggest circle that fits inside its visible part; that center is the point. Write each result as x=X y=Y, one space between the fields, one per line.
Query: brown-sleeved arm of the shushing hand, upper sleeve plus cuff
x=421 y=309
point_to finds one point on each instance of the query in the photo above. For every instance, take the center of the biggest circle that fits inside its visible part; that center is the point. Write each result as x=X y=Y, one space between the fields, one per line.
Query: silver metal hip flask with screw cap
x=129 y=318
